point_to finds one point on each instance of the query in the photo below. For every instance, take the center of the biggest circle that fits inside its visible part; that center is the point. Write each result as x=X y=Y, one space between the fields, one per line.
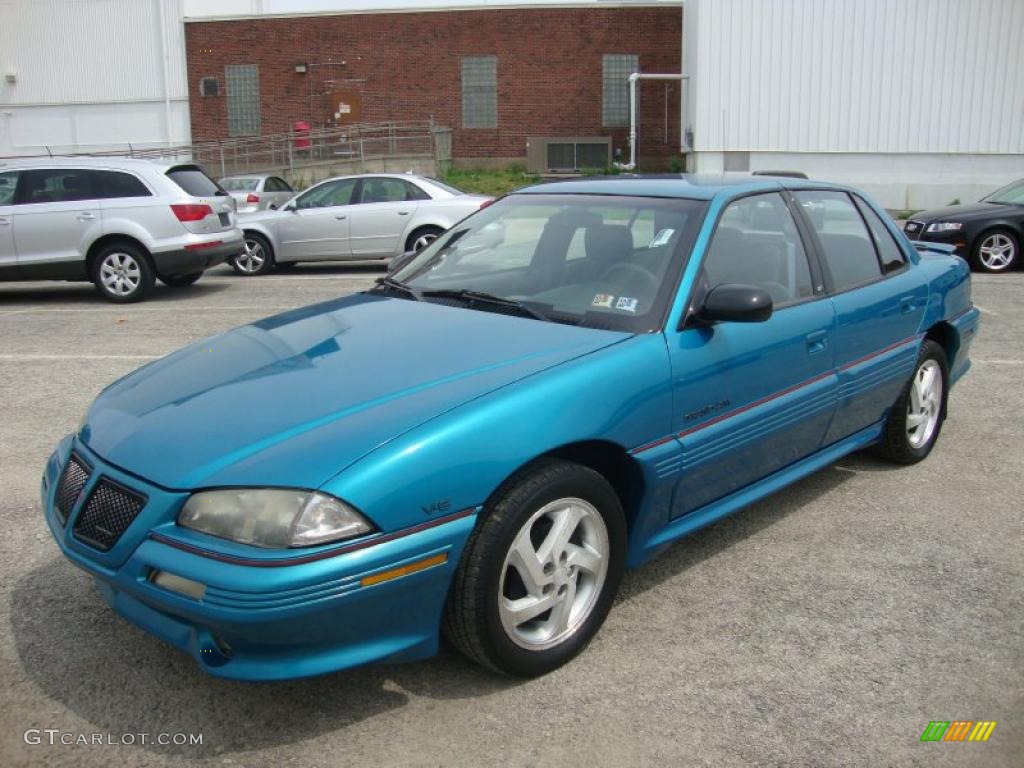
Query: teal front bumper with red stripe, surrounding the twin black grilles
x=259 y=620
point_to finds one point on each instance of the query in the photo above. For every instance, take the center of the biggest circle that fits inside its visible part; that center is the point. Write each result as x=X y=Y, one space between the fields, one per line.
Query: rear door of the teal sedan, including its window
x=879 y=301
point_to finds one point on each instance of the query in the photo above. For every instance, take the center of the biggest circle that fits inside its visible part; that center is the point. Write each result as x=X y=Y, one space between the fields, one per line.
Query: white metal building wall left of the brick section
x=92 y=75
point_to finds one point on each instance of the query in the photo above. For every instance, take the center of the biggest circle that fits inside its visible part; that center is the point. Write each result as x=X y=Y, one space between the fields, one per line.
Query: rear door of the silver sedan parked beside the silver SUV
x=387 y=207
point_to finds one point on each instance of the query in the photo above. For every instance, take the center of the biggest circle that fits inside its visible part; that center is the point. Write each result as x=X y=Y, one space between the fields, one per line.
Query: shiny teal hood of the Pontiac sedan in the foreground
x=295 y=399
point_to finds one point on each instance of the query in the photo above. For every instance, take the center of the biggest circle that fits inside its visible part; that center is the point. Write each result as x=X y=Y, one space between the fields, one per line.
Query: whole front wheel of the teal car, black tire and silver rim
x=570 y=521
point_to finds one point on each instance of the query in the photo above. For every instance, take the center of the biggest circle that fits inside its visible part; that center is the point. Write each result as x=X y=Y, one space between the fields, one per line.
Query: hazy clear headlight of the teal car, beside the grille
x=273 y=518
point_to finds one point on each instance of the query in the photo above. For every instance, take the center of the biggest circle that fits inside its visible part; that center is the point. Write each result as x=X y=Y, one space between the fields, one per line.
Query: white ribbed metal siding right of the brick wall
x=863 y=76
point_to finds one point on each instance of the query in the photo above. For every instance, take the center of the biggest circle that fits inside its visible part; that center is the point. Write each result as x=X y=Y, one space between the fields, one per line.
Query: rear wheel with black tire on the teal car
x=916 y=420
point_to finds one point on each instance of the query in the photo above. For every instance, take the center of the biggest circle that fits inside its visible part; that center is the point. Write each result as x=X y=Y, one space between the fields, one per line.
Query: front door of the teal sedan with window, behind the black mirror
x=753 y=398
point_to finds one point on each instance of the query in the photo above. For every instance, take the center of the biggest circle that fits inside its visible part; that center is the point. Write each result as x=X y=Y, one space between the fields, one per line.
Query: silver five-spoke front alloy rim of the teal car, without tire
x=553 y=574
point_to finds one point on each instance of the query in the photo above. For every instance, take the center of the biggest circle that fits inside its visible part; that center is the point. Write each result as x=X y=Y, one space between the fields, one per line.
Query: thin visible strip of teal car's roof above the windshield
x=673 y=186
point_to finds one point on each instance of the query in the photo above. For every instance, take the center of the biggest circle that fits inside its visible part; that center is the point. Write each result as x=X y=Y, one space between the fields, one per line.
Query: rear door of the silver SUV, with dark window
x=57 y=217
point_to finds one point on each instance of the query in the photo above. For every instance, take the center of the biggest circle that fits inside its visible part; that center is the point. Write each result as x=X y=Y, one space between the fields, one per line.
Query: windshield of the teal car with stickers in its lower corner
x=601 y=262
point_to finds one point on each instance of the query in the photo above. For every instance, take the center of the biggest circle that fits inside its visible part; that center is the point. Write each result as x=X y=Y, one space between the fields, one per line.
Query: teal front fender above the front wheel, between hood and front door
x=621 y=395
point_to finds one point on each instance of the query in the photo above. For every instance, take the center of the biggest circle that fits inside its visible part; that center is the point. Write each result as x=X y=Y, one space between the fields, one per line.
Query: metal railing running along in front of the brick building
x=293 y=150
